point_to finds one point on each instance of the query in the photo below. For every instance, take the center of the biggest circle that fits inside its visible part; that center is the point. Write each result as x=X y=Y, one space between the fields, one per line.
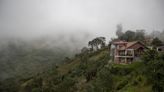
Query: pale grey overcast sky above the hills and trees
x=32 y=18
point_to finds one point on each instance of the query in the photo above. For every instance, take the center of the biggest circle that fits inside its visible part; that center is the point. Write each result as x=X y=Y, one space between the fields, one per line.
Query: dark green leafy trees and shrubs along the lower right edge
x=154 y=69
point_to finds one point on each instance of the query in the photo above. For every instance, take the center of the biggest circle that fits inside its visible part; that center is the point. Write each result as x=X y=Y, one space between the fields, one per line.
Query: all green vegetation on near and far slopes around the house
x=28 y=69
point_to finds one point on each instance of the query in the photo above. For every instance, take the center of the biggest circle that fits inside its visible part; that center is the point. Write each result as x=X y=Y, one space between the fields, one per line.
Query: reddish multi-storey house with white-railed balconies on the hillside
x=126 y=52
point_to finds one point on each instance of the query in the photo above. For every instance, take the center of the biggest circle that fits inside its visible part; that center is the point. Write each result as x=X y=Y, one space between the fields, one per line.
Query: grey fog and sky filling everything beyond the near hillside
x=64 y=27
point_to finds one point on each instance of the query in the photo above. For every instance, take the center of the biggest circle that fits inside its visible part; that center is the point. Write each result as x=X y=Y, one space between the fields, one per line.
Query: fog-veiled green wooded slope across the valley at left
x=21 y=59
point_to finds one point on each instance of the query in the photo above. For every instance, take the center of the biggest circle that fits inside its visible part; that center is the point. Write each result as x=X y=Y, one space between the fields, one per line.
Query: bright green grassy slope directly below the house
x=136 y=81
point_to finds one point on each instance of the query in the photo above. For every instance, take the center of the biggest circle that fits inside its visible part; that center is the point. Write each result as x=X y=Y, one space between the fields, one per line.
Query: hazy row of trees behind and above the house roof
x=155 y=38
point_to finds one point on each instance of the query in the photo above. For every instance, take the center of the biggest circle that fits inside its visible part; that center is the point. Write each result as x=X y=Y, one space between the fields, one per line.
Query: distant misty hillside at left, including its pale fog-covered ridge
x=25 y=58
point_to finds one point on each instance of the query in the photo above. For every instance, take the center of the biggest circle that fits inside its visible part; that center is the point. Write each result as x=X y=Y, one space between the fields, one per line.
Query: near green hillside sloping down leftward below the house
x=92 y=72
